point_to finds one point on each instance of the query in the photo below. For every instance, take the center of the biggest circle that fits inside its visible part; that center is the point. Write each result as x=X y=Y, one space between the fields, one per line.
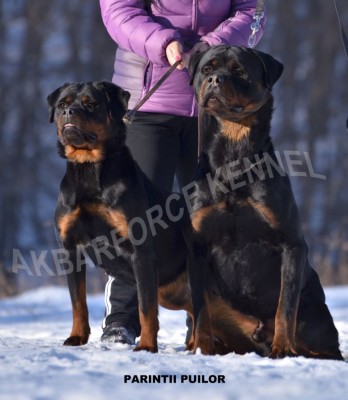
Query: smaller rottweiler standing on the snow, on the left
x=109 y=211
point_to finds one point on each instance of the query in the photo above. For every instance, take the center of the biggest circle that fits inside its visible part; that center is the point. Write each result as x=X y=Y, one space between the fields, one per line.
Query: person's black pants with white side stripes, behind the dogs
x=164 y=146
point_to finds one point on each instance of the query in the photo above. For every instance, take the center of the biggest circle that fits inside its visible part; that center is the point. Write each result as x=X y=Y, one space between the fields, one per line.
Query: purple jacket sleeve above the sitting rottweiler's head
x=236 y=29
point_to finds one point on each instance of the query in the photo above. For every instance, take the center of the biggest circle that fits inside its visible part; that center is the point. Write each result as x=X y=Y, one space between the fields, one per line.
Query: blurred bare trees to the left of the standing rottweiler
x=45 y=45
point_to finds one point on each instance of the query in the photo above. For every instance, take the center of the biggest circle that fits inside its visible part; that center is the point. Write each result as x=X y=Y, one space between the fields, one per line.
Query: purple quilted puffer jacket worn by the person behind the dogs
x=142 y=38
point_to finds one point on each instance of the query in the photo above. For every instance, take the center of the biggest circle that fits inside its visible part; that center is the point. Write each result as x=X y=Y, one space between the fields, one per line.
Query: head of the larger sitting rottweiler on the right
x=231 y=82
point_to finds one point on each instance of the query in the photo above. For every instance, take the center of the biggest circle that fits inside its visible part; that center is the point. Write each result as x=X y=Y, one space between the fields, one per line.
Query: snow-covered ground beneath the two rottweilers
x=35 y=365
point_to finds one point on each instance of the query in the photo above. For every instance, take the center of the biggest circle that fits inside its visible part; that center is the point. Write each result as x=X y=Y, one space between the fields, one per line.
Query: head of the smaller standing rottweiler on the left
x=88 y=118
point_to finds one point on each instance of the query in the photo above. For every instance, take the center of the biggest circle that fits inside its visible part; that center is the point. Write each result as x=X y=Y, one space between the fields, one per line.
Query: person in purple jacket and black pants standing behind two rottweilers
x=151 y=35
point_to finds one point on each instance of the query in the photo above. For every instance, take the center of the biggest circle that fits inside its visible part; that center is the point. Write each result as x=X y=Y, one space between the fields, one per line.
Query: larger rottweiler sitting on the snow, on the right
x=265 y=296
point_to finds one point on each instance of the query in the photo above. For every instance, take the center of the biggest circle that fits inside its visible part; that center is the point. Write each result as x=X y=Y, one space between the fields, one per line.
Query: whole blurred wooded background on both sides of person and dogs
x=44 y=44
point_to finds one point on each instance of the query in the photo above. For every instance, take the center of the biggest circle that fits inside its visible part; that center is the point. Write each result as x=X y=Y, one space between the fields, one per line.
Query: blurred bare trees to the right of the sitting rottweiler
x=311 y=109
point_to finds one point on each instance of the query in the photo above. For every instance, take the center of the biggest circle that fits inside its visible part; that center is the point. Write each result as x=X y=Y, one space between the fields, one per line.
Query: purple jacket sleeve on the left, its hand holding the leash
x=131 y=27
